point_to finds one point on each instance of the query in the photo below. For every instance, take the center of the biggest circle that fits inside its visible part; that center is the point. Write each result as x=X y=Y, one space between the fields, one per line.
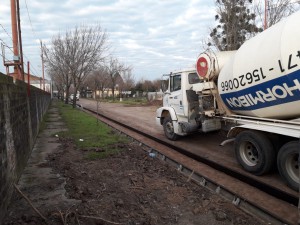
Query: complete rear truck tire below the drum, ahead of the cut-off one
x=255 y=152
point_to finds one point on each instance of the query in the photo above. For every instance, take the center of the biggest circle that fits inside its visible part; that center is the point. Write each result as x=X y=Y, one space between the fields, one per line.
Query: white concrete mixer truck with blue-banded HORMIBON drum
x=256 y=89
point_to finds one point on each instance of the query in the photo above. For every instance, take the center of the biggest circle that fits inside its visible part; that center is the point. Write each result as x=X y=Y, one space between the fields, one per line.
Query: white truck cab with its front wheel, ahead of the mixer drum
x=188 y=105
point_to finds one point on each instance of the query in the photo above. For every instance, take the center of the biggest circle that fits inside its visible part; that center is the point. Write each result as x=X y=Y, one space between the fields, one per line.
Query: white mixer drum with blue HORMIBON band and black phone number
x=263 y=77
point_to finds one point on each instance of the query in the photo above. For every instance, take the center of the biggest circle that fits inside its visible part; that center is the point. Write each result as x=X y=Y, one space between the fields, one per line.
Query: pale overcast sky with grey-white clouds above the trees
x=152 y=36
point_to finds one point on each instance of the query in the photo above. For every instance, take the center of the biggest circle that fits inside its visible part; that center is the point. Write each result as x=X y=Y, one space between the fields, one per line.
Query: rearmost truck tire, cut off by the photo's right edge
x=287 y=163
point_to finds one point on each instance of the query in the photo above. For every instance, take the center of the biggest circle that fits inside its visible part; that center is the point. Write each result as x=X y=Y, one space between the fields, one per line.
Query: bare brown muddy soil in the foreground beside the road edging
x=127 y=188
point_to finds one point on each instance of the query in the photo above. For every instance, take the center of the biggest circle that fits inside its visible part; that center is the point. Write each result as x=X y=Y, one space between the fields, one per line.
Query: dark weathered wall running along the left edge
x=20 y=117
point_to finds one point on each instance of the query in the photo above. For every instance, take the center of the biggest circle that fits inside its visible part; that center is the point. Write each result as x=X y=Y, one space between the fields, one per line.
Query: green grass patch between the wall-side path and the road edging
x=89 y=133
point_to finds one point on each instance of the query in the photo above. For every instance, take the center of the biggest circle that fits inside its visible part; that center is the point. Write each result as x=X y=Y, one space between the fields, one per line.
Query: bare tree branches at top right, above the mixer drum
x=276 y=10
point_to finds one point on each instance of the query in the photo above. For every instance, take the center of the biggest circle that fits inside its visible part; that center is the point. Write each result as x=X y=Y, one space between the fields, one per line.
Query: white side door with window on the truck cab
x=175 y=97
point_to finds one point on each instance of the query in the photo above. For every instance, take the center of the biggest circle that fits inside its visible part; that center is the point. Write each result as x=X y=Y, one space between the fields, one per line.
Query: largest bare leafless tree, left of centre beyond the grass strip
x=78 y=52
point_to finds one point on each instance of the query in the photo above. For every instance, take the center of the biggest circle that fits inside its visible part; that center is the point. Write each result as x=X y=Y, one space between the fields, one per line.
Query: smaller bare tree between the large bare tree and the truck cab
x=115 y=69
